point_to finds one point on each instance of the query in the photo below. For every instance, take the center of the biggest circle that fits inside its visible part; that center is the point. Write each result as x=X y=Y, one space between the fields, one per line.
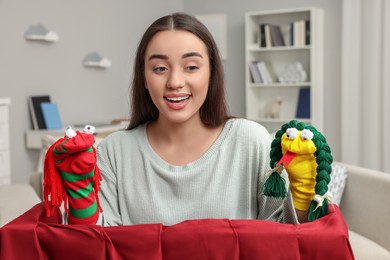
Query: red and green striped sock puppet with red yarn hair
x=71 y=176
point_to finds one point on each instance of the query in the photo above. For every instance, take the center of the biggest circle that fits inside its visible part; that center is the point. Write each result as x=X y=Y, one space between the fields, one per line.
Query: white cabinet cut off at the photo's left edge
x=5 y=160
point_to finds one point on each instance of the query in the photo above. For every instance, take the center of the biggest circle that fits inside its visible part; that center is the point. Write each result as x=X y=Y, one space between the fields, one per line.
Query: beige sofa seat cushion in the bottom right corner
x=364 y=248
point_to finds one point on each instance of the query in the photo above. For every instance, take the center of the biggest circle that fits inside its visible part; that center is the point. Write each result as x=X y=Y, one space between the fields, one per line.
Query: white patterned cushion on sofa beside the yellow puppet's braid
x=337 y=182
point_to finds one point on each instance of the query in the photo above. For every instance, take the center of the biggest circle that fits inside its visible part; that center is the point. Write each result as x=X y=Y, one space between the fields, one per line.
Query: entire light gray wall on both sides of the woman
x=113 y=29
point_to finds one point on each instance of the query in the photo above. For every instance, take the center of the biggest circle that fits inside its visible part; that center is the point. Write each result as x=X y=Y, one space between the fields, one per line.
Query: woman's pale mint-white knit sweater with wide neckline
x=225 y=182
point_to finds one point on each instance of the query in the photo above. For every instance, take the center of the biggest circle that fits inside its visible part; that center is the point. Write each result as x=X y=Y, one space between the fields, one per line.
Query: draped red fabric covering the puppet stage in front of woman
x=33 y=235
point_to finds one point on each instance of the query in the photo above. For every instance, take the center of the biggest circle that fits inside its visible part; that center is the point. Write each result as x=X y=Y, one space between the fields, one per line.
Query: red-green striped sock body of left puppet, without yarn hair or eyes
x=75 y=161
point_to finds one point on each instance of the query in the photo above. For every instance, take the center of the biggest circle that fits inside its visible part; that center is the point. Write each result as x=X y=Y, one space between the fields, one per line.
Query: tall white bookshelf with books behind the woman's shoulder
x=303 y=57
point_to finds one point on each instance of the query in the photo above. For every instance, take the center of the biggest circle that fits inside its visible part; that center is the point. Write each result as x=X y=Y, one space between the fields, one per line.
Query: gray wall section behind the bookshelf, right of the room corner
x=234 y=65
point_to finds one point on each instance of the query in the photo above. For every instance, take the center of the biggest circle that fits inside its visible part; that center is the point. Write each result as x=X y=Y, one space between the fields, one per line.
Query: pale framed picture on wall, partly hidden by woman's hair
x=217 y=25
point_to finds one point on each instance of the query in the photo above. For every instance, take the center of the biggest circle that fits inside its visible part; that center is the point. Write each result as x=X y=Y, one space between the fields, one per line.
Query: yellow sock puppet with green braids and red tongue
x=303 y=152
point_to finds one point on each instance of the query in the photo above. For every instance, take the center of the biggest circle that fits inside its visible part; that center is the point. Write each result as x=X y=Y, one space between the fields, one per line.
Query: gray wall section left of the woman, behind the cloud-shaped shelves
x=112 y=28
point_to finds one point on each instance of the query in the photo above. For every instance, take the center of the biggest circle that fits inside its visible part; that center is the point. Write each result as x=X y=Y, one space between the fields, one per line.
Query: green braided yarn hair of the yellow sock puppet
x=324 y=160
